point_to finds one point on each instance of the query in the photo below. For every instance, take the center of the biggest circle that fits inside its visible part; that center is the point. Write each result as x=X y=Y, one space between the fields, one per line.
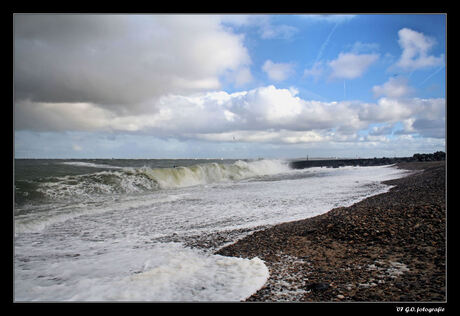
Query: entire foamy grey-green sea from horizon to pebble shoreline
x=148 y=229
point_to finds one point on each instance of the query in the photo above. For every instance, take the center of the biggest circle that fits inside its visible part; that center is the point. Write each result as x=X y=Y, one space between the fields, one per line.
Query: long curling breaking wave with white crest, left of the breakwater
x=132 y=180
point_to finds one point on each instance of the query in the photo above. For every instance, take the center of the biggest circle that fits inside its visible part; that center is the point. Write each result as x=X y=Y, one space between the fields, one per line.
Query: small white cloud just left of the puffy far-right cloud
x=351 y=66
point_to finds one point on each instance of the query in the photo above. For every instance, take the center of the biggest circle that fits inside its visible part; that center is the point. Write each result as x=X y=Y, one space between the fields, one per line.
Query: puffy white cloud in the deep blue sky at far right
x=415 y=46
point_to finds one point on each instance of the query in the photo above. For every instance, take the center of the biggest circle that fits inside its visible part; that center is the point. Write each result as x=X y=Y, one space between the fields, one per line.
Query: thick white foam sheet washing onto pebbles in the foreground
x=167 y=272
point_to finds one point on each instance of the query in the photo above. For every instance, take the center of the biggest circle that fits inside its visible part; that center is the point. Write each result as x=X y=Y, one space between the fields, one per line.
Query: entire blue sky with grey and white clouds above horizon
x=229 y=86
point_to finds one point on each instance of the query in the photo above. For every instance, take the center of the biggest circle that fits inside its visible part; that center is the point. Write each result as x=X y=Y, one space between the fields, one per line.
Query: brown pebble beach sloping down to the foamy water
x=387 y=248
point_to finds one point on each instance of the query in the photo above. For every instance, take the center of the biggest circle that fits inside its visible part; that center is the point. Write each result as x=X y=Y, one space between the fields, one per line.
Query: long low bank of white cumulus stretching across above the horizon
x=264 y=114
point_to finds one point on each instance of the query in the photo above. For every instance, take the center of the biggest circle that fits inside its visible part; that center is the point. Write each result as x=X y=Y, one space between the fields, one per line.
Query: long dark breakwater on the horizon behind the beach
x=336 y=163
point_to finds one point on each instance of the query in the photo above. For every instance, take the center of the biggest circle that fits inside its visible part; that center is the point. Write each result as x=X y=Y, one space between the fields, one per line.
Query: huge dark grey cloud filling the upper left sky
x=120 y=61
